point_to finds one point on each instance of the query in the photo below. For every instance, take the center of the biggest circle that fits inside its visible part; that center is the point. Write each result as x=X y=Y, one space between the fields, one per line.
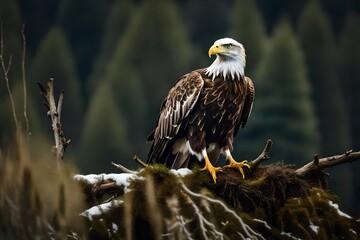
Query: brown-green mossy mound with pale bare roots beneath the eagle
x=272 y=202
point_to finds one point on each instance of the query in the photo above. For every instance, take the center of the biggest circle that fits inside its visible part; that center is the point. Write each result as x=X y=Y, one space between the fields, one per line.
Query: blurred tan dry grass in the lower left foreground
x=38 y=201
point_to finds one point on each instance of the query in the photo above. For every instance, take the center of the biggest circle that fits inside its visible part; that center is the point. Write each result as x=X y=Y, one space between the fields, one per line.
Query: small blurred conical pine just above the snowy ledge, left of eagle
x=104 y=135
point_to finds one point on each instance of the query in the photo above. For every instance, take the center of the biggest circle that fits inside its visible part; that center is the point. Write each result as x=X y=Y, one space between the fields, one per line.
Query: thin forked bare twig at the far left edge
x=6 y=71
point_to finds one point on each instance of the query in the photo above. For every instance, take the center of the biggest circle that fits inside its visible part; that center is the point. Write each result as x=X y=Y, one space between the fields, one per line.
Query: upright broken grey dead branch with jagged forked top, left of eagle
x=55 y=114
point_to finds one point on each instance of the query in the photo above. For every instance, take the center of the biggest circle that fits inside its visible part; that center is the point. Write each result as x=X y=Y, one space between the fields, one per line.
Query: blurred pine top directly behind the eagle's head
x=247 y=27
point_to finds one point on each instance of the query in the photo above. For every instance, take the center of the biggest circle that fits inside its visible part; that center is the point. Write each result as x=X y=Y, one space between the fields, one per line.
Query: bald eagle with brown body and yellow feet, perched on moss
x=203 y=112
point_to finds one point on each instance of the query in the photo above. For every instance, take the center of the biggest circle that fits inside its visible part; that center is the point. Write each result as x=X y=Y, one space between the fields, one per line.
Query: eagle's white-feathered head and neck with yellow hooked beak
x=230 y=59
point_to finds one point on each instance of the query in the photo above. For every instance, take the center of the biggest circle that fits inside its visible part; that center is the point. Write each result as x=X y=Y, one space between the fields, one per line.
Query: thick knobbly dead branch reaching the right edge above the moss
x=318 y=164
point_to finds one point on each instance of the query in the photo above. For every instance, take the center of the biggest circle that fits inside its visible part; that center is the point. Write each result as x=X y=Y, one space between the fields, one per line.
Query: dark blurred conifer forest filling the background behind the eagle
x=116 y=60
